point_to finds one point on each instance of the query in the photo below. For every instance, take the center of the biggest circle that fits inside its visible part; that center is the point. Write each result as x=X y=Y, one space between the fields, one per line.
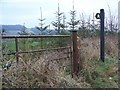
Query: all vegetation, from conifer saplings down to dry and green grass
x=46 y=69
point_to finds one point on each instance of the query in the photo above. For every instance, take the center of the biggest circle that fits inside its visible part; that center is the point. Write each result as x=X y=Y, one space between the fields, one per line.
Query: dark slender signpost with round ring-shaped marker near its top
x=101 y=16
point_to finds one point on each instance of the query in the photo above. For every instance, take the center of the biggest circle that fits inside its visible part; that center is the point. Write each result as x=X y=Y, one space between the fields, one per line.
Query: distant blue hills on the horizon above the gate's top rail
x=14 y=29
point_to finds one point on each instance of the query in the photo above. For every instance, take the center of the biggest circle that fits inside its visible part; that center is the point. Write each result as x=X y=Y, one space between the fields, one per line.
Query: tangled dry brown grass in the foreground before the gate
x=41 y=73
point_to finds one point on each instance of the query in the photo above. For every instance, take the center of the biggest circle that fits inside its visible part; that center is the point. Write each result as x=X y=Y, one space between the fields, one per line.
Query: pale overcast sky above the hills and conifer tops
x=28 y=11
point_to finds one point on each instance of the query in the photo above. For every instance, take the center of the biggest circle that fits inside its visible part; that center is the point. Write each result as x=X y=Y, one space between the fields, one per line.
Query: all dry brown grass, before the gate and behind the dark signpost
x=39 y=71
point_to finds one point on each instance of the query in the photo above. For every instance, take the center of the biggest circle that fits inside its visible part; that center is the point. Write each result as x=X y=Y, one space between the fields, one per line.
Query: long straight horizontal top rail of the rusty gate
x=35 y=36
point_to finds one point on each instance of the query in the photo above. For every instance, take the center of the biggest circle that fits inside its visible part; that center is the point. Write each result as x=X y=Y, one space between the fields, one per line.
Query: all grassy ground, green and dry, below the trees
x=37 y=70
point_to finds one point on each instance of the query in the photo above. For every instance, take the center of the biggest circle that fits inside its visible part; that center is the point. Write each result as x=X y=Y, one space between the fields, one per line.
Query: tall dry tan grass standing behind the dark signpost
x=90 y=47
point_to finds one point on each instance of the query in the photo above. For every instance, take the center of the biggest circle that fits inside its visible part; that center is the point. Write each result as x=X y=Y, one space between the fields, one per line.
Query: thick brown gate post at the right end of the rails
x=75 y=65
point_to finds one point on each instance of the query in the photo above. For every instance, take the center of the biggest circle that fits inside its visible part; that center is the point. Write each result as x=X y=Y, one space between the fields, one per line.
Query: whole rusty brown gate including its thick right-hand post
x=75 y=63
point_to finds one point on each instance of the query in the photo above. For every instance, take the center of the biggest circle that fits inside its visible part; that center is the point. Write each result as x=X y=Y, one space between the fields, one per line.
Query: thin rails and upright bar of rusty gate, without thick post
x=32 y=36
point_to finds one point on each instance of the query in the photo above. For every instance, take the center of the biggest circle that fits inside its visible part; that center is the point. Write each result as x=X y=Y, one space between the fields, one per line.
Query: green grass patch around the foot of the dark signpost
x=103 y=75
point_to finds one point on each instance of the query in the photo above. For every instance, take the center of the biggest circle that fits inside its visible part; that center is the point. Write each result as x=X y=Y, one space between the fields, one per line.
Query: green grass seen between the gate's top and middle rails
x=33 y=44
